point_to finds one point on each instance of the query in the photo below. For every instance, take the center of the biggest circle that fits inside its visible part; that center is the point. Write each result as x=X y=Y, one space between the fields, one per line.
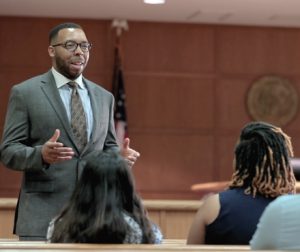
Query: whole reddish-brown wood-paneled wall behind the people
x=186 y=87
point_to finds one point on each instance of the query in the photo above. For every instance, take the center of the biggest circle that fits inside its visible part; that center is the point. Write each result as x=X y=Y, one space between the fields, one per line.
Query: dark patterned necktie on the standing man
x=78 y=121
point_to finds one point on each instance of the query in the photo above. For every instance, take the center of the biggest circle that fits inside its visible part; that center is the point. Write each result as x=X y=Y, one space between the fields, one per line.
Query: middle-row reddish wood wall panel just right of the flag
x=163 y=102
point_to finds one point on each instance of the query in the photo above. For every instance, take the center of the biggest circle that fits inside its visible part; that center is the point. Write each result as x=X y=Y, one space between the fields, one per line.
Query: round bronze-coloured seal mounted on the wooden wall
x=272 y=99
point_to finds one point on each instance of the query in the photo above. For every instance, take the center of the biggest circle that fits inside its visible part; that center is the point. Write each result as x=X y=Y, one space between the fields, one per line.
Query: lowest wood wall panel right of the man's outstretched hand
x=170 y=164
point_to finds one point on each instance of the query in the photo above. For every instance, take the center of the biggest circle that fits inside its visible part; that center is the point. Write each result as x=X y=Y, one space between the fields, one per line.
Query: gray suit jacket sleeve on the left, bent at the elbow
x=16 y=150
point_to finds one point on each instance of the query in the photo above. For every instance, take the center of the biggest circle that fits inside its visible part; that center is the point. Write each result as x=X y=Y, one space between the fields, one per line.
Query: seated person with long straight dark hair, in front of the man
x=104 y=207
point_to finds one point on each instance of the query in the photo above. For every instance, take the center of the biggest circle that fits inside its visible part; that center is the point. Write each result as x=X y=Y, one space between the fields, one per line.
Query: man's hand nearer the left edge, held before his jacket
x=54 y=152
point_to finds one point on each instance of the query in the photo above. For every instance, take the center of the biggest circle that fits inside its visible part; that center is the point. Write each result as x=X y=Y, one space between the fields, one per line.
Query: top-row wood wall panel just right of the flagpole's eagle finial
x=165 y=47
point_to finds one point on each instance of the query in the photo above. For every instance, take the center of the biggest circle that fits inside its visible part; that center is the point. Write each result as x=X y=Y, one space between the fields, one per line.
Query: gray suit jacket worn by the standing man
x=35 y=110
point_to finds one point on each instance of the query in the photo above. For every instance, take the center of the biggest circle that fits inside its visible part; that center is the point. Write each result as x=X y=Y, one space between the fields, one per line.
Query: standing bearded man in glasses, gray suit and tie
x=38 y=138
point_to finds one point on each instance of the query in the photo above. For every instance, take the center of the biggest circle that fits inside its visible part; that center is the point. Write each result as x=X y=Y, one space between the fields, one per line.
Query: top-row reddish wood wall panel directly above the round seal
x=242 y=50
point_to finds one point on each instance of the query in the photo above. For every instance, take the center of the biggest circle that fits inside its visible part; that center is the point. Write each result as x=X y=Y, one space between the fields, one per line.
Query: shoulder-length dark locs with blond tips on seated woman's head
x=262 y=161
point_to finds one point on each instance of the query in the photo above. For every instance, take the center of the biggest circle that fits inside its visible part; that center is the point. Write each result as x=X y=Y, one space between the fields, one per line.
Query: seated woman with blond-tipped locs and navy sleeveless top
x=262 y=172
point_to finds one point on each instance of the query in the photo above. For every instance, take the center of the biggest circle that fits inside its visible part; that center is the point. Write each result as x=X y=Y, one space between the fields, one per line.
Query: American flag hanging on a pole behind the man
x=120 y=115
